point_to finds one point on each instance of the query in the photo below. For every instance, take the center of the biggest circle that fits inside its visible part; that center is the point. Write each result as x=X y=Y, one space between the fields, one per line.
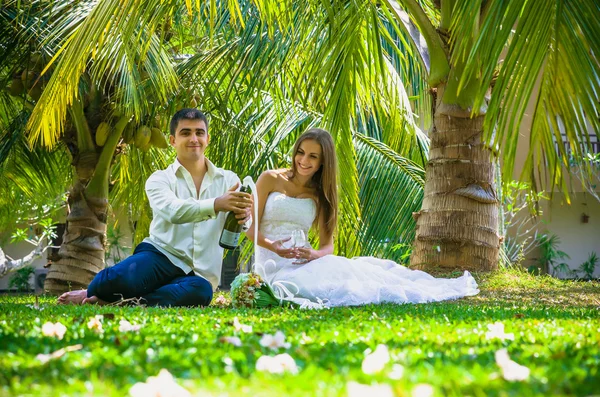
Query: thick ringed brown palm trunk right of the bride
x=457 y=226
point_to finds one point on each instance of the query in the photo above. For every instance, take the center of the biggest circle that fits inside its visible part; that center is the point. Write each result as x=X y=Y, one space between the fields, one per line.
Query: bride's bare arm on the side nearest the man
x=266 y=184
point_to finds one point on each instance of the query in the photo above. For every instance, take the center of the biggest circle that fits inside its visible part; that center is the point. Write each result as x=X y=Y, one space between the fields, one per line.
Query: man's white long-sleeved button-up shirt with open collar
x=185 y=227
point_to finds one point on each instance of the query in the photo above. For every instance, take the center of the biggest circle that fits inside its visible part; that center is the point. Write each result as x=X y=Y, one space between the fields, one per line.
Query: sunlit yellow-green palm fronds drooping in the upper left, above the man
x=111 y=38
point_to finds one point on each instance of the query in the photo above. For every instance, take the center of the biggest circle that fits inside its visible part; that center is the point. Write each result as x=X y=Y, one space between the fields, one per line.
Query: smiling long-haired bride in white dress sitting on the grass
x=305 y=196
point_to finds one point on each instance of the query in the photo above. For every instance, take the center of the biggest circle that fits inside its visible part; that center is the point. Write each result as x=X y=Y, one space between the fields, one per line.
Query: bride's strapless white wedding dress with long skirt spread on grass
x=338 y=281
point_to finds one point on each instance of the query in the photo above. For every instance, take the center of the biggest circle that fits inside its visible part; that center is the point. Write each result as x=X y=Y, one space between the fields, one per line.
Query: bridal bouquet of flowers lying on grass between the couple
x=250 y=290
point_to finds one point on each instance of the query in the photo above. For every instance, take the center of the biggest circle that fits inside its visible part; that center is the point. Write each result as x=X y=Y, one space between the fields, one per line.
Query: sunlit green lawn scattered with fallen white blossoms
x=556 y=326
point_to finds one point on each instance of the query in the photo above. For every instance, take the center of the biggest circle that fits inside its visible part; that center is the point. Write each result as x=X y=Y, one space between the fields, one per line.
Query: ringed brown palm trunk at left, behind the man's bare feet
x=82 y=251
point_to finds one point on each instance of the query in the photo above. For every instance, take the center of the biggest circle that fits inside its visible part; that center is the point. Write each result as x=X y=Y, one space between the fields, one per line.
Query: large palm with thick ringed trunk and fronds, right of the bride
x=479 y=105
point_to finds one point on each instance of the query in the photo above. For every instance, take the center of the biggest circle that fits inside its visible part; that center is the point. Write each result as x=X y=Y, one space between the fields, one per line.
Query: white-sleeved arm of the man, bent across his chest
x=164 y=201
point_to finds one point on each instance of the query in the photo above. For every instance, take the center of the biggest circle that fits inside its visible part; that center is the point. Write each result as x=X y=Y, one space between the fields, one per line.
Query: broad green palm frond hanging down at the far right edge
x=553 y=45
